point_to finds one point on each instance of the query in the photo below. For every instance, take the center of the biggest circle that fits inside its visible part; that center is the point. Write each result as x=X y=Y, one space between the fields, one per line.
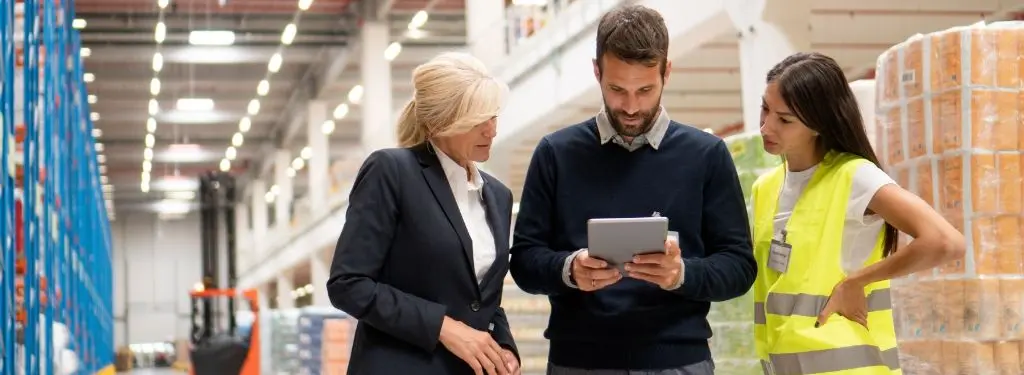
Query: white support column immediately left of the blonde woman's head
x=378 y=124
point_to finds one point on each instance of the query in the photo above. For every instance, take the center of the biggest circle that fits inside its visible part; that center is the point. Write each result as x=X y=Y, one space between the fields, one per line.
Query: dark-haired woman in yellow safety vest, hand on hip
x=826 y=231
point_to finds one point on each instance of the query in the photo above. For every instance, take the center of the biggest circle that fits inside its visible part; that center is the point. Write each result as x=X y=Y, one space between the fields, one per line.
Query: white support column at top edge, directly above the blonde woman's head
x=486 y=31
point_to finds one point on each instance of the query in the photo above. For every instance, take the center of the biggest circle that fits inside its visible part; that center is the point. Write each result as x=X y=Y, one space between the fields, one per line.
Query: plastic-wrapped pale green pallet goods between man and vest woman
x=733 y=321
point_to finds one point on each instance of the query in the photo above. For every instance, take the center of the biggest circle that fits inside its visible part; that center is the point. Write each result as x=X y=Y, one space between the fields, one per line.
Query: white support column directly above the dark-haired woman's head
x=770 y=31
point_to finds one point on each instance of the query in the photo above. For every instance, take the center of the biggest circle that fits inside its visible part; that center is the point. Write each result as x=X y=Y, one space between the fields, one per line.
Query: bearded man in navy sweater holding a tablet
x=632 y=161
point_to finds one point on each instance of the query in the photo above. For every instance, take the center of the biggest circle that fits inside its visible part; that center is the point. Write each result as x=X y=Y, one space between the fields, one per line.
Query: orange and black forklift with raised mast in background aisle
x=217 y=350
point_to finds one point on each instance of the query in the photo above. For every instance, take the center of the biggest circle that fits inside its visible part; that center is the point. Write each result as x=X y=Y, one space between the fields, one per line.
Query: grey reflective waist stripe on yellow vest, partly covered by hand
x=812 y=306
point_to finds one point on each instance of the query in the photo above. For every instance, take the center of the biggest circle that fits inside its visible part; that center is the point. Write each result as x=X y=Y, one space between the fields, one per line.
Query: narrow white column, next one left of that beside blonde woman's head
x=318 y=165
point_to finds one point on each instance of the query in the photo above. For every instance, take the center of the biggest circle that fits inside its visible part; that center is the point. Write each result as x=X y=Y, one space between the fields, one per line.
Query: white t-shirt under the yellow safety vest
x=861 y=231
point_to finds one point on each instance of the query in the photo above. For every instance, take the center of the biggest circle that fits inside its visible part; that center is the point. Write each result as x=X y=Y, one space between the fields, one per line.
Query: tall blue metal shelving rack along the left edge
x=67 y=244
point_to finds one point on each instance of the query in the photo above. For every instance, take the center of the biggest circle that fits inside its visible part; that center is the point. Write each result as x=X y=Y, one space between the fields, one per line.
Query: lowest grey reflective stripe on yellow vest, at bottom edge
x=831 y=361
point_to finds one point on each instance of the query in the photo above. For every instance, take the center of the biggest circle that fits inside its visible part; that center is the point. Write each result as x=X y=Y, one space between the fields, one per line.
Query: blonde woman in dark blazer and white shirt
x=424 y=251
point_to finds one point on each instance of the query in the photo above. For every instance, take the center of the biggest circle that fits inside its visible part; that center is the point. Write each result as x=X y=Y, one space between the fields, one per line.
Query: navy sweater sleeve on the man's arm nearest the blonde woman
x=535 y=267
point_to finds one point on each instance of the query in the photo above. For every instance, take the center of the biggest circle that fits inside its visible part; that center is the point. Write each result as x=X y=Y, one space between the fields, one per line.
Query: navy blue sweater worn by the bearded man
x=691 y=180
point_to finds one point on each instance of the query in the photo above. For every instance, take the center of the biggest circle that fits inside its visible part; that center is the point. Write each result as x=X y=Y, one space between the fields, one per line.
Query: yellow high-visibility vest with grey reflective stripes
x=787 y=305
